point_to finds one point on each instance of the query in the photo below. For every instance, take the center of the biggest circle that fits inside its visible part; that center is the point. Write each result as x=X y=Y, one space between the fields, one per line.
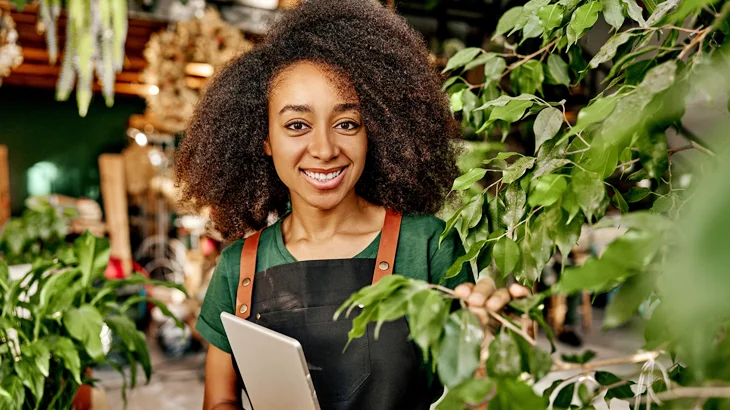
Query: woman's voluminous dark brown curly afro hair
x=411 y=161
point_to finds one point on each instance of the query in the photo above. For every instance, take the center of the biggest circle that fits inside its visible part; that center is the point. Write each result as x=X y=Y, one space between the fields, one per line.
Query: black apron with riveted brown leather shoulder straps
x=299 y=300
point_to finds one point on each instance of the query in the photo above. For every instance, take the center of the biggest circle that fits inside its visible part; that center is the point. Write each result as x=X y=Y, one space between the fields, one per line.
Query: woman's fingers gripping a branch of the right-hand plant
x=484 y=296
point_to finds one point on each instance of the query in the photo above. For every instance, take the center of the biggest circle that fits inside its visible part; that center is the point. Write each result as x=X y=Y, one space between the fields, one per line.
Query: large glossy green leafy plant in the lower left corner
x=57 y=321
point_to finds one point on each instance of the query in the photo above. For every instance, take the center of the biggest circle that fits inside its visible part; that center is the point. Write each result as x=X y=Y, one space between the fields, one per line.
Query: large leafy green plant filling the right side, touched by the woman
x=521 y=208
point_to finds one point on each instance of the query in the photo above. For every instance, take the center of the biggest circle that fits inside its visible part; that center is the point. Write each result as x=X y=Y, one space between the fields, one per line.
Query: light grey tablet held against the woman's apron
x=272 y=366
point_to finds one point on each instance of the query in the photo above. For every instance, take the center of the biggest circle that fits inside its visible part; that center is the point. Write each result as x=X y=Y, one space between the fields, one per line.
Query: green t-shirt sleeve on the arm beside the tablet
x=218 y=299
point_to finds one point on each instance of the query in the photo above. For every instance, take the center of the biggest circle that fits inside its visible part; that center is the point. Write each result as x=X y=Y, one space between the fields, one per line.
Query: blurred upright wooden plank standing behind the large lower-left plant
x=114 y=193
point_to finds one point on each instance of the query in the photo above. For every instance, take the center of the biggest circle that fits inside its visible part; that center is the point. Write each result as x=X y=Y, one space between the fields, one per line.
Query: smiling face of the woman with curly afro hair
x=316 y=136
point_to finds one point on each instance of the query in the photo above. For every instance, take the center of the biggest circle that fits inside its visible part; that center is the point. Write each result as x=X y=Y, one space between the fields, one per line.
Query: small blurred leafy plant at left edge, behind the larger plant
x=39 y=233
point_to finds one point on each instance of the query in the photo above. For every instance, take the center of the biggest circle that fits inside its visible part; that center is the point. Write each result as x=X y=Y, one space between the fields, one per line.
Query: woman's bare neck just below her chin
x=354 y=215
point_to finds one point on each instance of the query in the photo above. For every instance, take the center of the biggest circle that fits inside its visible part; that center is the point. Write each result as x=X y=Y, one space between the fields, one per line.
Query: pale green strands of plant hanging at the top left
x=95 y=34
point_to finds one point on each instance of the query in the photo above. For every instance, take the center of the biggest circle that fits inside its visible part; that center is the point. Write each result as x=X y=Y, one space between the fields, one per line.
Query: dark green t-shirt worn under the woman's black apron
x=418 y=256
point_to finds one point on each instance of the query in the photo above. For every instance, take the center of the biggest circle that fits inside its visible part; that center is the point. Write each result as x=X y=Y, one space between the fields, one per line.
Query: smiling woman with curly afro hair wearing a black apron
x=339 y=115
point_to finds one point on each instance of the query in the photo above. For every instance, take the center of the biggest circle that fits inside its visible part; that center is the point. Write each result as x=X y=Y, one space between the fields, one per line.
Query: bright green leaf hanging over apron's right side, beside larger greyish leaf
x=427 y=314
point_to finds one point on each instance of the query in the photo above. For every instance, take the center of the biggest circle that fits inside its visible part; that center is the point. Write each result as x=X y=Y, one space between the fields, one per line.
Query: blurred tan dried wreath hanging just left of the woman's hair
x=207 y=42
